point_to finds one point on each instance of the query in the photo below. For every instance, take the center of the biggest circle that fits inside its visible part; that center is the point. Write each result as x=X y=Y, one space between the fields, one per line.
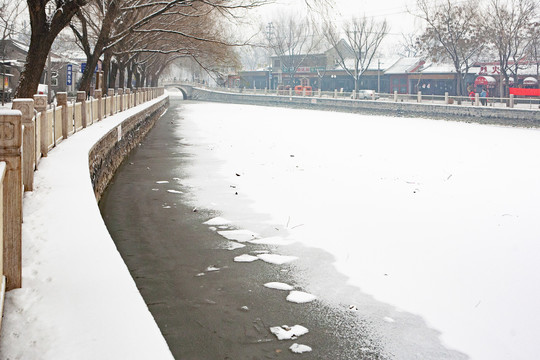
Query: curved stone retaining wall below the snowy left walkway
x=107 y=154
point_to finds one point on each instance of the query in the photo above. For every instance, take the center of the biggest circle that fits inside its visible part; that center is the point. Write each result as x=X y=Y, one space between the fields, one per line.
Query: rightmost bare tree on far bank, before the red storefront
x=511 y=32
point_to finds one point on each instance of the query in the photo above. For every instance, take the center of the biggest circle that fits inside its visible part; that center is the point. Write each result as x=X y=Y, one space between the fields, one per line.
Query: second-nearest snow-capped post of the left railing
x=26 y=107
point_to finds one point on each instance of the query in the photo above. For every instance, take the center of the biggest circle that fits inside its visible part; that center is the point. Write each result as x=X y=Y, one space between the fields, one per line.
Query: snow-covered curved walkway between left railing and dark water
x=78 y=299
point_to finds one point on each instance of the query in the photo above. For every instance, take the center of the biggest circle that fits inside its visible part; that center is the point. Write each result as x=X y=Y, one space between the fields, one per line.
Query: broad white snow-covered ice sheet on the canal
x=436 y=218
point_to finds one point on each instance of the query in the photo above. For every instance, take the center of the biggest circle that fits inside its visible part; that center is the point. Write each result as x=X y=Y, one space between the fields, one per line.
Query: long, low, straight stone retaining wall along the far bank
x=503 y=116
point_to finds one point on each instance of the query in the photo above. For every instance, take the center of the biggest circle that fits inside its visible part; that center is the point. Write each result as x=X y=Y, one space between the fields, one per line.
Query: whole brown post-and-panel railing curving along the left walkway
x=27 y=133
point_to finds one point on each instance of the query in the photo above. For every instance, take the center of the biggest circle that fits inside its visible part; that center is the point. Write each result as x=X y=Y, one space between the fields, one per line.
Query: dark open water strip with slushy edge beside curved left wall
x=227 y=314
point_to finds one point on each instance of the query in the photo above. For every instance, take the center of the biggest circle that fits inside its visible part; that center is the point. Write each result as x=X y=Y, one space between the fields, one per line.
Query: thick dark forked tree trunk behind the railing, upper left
x=47 y=19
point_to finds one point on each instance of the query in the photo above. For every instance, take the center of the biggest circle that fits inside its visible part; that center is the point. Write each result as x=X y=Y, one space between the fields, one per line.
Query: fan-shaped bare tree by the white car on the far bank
x=361 y=40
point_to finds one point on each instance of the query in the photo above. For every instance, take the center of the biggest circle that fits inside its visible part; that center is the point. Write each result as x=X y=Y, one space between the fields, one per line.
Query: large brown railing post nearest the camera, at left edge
x=10 y=153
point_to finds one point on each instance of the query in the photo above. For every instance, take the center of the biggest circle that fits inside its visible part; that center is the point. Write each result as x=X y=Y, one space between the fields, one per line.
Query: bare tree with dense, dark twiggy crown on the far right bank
x=453 y=32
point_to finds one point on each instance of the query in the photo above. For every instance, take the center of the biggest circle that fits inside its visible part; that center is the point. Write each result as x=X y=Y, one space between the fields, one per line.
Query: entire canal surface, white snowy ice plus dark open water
x=419 y=237
